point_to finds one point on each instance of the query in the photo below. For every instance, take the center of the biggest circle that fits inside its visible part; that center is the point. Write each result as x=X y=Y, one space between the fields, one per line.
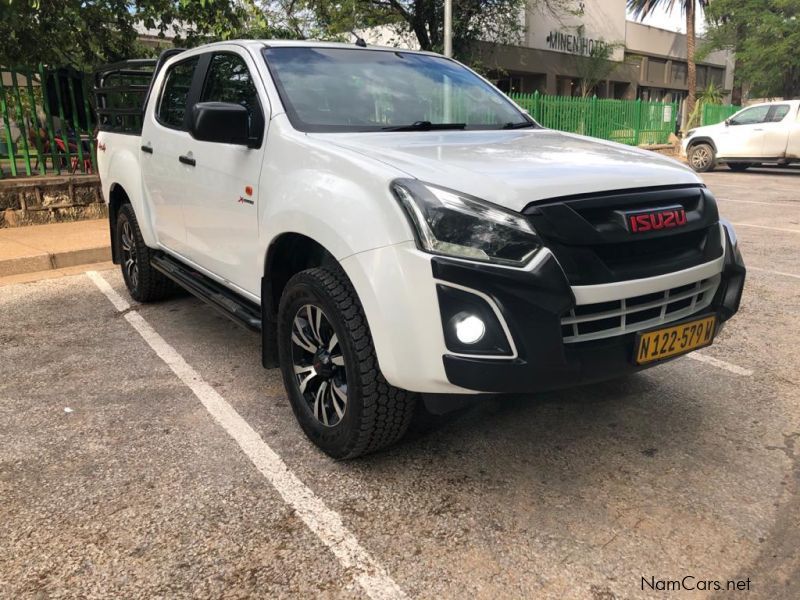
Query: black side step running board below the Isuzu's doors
x=245 y=313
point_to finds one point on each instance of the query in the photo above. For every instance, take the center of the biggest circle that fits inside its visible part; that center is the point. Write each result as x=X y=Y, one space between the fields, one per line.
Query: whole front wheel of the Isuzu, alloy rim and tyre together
x=330 y=371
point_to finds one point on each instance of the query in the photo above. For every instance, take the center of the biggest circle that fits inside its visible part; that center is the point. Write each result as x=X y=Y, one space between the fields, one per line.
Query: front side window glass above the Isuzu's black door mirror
x=229 y=80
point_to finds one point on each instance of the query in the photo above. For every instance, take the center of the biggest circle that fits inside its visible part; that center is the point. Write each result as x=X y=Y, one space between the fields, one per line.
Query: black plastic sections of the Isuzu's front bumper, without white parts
x=533 y=304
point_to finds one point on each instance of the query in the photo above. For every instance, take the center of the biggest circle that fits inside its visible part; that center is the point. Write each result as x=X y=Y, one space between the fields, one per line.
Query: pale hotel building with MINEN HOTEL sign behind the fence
x=648 y=63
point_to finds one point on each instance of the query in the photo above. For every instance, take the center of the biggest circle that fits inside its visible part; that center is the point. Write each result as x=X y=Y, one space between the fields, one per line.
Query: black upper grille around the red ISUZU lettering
x=589 y=237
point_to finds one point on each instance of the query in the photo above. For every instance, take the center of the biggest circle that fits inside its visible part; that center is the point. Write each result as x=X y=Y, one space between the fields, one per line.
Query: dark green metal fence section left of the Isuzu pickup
x=47 y=123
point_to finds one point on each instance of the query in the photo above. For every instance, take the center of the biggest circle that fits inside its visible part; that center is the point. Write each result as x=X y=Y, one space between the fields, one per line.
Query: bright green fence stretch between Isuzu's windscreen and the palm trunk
x=630 y=122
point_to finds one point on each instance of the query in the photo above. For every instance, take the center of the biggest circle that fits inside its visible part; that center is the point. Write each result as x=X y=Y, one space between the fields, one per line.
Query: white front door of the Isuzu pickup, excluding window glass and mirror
x=220 y=205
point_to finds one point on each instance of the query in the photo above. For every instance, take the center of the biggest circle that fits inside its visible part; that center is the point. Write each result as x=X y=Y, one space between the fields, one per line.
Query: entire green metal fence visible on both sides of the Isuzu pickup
x=48 y=124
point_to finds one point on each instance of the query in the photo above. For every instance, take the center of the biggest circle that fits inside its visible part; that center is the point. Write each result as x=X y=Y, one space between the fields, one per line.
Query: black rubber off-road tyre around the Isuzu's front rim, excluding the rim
x=376 y=413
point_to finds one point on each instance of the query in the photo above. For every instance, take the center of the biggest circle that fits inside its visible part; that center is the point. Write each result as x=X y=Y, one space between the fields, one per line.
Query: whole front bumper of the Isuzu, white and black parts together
x=398 y=288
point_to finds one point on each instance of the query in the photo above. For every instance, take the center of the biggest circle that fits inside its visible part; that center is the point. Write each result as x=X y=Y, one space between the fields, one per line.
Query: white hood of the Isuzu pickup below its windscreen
x=515 y=168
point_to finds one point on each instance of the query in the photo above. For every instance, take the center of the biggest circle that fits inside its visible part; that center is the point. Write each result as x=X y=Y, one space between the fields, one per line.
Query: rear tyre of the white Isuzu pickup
x=148 y=285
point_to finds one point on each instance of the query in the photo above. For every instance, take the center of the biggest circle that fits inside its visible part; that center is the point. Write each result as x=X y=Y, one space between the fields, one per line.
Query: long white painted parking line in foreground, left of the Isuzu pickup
x=324 y=522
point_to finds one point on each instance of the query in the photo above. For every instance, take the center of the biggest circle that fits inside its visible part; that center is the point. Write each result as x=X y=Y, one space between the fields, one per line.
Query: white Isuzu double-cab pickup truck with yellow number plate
x=398 y=230
